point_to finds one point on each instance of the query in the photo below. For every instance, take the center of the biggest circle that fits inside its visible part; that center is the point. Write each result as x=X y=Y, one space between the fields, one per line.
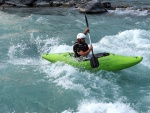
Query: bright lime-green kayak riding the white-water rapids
x=107 y=61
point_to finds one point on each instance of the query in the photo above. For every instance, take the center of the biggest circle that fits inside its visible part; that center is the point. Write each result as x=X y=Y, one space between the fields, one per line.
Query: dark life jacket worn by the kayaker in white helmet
x=78 y=47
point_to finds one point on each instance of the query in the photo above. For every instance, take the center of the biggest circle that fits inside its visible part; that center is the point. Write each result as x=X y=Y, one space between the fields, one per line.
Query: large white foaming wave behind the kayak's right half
x=130 y=42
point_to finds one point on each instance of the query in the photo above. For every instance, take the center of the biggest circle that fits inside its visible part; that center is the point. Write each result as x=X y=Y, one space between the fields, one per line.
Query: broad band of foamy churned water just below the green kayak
x=86 y=83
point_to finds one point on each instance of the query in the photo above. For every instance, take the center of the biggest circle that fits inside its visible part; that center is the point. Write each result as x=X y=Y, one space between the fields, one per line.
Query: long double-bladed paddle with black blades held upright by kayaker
x=93 y=61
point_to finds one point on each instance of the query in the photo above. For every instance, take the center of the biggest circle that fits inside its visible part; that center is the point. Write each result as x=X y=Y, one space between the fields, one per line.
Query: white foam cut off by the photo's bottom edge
x=99 y=107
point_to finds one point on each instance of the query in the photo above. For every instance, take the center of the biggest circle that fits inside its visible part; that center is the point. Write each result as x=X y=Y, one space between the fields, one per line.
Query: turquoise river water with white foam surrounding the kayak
x=30 y=84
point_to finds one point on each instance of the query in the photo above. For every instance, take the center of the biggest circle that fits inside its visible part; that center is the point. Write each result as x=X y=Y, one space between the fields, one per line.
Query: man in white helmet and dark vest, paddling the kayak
x=80 y=47
